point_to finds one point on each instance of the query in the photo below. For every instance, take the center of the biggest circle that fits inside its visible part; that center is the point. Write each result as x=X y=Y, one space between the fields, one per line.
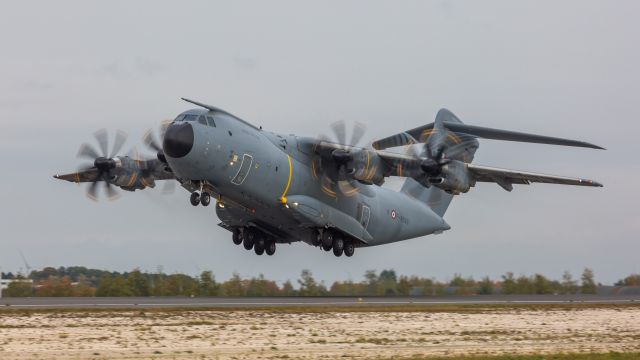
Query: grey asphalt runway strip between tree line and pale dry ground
x=262 y=302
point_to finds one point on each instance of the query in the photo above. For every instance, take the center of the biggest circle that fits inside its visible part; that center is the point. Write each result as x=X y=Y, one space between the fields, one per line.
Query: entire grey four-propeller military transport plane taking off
x=272 y=188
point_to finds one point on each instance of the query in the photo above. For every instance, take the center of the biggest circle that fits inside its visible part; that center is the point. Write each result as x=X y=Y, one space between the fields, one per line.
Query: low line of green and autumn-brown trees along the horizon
x=81 y=281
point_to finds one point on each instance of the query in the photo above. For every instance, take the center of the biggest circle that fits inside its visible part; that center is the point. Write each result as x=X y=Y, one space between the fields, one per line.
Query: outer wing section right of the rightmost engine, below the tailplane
x=506 y=178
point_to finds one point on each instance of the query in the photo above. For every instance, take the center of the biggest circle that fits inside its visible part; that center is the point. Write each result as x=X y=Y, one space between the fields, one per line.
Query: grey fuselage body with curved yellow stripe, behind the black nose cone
x=266 y=180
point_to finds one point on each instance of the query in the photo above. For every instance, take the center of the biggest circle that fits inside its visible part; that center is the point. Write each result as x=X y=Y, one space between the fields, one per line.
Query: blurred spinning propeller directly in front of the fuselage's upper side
x=334 y=165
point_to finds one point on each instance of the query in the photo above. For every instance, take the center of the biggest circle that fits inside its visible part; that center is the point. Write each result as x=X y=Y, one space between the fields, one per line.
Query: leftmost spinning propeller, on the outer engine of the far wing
x=103 y=162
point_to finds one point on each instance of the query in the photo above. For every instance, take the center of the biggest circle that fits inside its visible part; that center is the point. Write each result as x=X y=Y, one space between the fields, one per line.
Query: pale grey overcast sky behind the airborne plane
x=567 y=69
